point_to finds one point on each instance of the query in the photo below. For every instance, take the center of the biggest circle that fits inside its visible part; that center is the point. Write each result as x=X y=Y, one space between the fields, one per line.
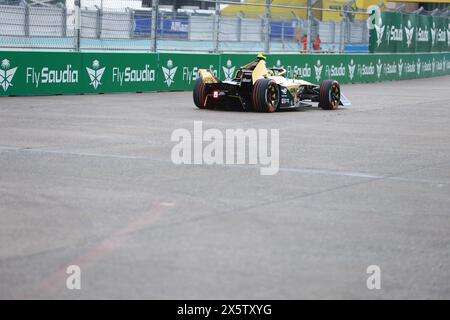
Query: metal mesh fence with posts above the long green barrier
x=125 y=27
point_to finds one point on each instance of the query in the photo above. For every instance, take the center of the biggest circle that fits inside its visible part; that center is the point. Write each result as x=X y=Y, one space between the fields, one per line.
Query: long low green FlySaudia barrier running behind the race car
x=47 y=73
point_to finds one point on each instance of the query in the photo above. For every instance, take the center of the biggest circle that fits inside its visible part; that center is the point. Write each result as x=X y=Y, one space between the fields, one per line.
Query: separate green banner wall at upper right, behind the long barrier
x=409 y=33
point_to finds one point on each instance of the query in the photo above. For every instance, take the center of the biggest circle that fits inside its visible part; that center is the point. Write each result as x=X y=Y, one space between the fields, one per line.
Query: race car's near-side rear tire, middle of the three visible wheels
x=265 y=96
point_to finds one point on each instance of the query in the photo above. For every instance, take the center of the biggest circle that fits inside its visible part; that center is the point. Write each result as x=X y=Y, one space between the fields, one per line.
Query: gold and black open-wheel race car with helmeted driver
x=258 y=88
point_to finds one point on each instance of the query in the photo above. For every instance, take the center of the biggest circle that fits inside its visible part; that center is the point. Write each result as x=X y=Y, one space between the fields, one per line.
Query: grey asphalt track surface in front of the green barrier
x=88 y=180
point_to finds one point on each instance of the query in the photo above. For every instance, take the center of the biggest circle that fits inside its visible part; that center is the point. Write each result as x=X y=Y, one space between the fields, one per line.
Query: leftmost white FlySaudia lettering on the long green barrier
x=51 y=76
